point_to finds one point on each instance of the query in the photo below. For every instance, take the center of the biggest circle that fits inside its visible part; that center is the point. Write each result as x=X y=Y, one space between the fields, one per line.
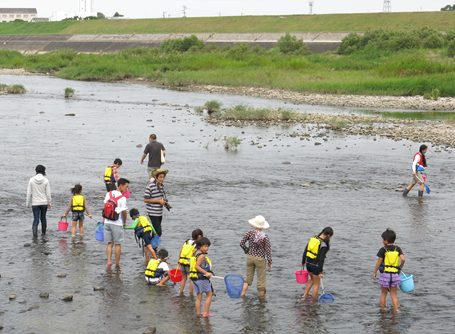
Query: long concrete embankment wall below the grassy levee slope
x=317 y=42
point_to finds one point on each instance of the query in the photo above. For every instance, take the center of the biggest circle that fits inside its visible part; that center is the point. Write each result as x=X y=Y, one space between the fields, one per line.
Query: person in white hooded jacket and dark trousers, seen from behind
x=39 y=195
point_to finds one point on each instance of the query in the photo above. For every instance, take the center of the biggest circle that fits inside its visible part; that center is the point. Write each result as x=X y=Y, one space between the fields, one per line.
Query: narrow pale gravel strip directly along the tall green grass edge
x=359 y=101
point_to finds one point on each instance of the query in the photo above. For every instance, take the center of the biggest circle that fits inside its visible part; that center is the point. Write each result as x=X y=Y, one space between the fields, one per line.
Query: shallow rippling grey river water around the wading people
x=217 y=191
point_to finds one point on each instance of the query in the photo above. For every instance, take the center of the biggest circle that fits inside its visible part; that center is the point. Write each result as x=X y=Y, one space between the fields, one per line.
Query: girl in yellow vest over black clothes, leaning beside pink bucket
x=314 y=256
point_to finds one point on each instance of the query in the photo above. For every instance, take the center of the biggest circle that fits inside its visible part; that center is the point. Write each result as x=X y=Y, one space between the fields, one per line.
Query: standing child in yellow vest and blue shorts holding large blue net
x=200 y=273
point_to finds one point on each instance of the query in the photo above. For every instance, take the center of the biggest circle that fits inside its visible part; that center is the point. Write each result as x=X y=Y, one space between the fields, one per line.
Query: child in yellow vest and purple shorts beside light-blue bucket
x=390 y=278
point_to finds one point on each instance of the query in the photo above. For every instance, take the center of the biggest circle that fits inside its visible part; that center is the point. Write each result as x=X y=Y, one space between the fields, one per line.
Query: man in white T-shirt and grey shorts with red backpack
x=113 y=229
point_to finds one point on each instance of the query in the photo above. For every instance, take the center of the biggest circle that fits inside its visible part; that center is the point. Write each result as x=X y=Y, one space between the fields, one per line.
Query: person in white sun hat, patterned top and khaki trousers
x=259 y=254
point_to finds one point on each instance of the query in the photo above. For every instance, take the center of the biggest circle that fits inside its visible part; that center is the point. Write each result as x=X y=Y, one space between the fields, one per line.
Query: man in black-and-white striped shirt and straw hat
x=155 y=199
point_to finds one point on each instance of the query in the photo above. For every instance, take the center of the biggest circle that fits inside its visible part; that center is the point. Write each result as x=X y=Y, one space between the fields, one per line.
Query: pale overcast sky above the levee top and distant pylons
x=155 y=8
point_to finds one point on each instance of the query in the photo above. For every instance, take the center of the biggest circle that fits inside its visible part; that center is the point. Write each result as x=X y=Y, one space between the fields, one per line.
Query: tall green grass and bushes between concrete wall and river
x=370 y=72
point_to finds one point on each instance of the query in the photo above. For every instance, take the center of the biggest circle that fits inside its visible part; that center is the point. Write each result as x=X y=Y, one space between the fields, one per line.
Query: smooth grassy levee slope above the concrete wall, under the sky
x=441 y=21
